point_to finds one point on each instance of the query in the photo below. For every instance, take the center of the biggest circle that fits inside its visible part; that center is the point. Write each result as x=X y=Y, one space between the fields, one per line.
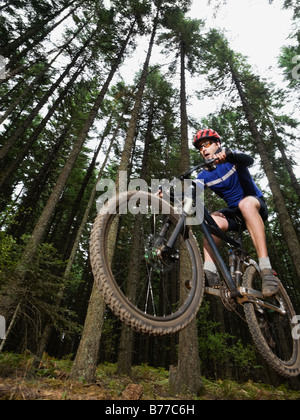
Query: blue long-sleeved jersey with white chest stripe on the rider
x=231 y=181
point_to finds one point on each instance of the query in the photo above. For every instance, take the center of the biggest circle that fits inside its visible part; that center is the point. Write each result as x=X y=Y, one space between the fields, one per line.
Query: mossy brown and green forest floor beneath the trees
x=50 y=382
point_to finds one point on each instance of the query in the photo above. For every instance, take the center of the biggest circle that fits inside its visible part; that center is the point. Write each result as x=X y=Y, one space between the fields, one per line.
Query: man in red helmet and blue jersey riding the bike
x=230 y=179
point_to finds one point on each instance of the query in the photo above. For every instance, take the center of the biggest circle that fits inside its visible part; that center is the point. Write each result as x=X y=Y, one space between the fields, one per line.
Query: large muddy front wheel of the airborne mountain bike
x=144 y=286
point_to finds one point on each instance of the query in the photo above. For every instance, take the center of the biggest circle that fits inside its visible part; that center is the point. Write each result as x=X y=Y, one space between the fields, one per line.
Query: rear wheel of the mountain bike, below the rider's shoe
x=272 y=331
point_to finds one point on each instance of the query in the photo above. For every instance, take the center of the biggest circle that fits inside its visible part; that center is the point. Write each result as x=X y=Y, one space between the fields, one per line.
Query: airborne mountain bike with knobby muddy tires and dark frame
x=149 y=270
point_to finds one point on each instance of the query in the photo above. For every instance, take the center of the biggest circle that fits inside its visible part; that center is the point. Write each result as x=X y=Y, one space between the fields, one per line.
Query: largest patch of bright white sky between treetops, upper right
x=254 y=27
